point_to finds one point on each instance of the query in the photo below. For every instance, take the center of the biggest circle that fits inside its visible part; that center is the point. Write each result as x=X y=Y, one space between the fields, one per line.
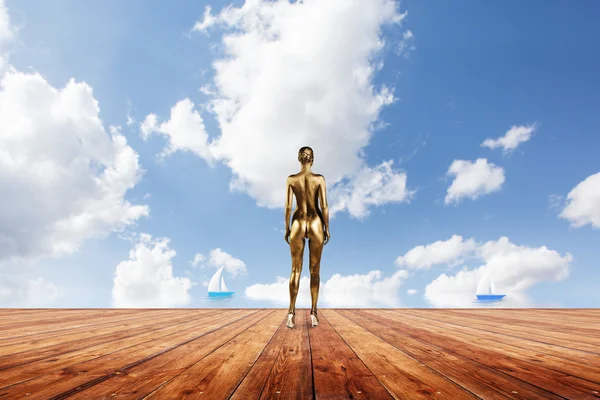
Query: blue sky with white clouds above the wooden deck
x=145 y=144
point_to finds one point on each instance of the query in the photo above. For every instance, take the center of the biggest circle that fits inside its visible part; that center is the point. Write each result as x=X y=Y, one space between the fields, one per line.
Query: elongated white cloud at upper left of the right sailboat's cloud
x=449 y=251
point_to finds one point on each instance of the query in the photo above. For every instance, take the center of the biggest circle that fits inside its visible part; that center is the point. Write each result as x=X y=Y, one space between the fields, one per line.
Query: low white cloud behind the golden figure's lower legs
x=357 y=290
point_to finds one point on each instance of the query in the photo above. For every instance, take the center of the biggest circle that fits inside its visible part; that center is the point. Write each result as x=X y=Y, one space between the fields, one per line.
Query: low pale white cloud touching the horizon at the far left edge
x=21 y=291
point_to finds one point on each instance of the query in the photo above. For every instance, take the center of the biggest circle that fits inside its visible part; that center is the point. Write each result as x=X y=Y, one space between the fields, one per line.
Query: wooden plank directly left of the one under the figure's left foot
x=217 y=375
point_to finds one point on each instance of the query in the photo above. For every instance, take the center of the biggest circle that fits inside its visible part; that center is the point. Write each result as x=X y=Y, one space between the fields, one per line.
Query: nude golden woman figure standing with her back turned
x=308 y=222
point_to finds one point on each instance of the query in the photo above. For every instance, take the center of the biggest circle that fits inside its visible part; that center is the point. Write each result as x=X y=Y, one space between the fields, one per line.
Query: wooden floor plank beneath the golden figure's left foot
x=283 y=369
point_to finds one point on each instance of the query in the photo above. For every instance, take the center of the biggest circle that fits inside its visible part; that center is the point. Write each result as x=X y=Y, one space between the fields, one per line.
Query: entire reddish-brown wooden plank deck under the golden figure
x=251 y=354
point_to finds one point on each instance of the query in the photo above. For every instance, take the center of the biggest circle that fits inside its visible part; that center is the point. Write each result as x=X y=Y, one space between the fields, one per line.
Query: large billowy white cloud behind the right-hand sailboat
x=513 y=268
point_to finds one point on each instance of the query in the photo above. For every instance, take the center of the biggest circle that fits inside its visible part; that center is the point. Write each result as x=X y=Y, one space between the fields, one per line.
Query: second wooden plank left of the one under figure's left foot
x=138 y=380
